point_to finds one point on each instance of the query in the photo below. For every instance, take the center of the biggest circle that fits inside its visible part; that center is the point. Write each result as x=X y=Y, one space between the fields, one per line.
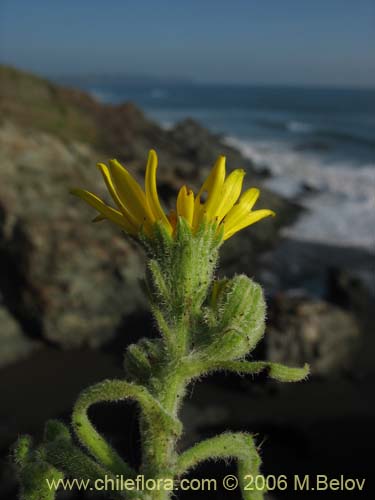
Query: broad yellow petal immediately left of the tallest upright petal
x=131 y=194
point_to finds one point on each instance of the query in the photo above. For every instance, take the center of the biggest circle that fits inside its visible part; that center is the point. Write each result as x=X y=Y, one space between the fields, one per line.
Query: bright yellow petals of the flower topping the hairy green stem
x=138 y=209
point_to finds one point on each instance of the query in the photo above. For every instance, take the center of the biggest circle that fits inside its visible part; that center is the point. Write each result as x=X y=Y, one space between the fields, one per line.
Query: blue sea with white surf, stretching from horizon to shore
x=318 y=143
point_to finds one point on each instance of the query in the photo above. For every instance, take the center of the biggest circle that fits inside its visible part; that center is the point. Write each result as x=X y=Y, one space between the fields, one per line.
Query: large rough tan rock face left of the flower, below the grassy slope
x=64 y=279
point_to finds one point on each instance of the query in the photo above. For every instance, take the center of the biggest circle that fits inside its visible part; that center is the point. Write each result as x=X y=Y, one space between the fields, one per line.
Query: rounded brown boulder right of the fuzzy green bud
x=313 y=331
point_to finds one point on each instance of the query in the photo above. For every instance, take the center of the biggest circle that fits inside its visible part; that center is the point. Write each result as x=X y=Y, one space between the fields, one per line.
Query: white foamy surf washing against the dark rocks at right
x=341 y=199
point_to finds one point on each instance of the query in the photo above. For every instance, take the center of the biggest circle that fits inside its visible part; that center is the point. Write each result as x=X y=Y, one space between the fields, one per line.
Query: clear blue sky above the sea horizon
x=304 y=42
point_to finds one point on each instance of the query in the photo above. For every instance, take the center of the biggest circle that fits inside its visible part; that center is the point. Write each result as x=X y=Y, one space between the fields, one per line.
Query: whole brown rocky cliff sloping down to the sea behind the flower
x=65 y=281
